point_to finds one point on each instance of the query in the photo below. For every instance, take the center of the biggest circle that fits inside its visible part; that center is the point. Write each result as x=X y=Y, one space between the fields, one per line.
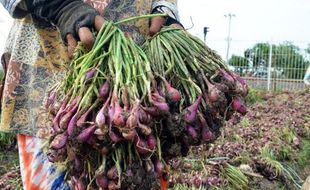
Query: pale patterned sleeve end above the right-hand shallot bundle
x=167 y=6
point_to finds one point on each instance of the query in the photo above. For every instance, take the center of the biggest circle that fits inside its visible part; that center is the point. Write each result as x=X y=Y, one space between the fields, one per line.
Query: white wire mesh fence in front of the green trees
x=272 y=65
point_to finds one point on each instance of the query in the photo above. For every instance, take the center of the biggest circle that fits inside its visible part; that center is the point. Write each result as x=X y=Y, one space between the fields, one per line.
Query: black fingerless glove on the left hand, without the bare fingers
x=68 y=15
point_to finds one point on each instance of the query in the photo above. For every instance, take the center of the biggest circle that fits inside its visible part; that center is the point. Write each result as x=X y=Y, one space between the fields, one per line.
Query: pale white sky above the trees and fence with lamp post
x=254 y=21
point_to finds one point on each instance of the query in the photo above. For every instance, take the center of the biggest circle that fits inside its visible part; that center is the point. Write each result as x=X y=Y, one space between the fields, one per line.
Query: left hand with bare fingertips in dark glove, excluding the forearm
x=75 y=21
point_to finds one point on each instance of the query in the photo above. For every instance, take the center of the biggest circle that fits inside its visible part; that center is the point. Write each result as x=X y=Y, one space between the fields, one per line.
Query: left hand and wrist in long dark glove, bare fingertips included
x=74 y=18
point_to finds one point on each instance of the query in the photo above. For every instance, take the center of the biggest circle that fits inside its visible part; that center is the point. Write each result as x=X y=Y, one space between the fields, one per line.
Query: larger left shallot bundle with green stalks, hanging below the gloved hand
x=102 y=131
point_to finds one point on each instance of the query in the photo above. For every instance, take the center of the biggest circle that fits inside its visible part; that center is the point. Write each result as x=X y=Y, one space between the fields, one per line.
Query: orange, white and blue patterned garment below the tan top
x=36 y=171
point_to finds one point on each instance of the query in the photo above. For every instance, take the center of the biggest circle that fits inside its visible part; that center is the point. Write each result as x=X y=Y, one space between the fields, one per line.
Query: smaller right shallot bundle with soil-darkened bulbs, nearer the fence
x=201 y=91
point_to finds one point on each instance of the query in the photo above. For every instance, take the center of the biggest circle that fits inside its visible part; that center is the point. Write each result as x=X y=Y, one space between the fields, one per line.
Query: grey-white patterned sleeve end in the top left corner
x=16 y=8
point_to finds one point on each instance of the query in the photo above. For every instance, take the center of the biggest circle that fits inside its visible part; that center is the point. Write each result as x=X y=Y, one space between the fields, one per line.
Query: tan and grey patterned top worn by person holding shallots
x=34 y=55
